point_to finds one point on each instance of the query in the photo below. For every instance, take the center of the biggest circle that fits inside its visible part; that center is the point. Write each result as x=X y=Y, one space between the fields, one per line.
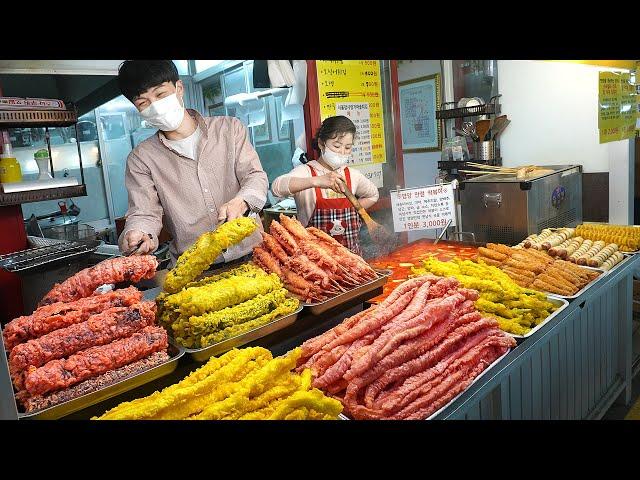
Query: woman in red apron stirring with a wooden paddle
x=318 y=186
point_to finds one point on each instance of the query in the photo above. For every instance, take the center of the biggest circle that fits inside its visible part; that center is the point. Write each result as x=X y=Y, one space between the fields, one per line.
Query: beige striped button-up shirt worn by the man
x=189 y=193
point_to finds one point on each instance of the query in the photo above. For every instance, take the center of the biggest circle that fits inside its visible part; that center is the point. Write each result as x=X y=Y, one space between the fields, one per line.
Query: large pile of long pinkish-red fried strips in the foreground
x=408 y=356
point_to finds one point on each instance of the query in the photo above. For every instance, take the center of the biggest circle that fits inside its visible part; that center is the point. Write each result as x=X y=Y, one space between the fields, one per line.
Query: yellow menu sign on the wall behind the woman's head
x=353 y=88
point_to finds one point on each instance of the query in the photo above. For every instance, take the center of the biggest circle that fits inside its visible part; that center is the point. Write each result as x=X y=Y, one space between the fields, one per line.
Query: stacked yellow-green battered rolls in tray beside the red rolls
x=223 y=306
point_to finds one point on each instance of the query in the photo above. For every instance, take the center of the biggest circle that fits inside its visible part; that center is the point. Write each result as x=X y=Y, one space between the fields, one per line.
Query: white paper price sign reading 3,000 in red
x=423 y=208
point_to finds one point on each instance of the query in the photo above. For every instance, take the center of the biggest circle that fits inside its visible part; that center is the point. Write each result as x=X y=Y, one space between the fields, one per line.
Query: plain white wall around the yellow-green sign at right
x=553 y=107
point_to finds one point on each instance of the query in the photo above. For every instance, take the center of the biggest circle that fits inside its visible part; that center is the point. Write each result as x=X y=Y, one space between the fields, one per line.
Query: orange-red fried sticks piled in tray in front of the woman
x=312 y=264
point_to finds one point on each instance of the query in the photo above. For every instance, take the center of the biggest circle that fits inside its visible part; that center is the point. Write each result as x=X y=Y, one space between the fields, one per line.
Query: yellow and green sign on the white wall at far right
x=616 y=106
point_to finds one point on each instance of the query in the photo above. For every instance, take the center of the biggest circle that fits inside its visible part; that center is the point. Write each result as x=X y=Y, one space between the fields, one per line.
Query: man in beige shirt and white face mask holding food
x=196 y=171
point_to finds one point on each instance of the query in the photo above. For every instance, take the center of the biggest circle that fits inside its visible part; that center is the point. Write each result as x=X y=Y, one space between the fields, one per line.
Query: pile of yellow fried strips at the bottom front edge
x=245 y=384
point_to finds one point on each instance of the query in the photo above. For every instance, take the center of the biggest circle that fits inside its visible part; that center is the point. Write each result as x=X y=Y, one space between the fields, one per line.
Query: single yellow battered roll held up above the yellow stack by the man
x=205 y=250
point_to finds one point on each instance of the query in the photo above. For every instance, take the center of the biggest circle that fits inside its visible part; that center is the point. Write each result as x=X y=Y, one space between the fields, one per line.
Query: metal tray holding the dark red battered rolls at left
x=66 y=408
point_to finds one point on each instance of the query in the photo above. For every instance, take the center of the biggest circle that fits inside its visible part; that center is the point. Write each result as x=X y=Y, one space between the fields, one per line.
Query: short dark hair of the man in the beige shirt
x=137 y=76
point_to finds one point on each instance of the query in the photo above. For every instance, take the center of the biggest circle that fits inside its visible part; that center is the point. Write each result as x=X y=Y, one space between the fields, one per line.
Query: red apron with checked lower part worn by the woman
x=337 y=216
